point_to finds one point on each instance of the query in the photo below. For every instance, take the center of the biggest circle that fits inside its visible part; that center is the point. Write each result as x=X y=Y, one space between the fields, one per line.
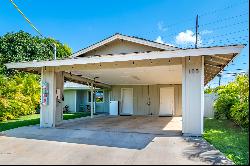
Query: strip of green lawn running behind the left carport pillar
x=34 y=119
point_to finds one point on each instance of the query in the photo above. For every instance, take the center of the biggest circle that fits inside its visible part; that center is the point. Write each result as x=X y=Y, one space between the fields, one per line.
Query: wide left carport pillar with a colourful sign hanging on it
x=51 y=114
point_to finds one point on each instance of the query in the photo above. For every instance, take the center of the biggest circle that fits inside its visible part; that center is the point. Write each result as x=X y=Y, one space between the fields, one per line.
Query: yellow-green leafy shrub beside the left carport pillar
x=19 y=95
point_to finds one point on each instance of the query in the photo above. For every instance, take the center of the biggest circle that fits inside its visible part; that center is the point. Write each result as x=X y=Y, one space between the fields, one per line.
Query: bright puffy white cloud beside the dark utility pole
x=188 y=37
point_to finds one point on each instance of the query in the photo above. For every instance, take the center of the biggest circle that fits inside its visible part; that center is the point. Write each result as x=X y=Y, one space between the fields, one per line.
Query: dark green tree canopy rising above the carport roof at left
x=22 y=46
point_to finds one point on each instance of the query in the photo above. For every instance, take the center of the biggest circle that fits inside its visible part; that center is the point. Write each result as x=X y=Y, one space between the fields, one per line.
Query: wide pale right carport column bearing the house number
x=192 y=95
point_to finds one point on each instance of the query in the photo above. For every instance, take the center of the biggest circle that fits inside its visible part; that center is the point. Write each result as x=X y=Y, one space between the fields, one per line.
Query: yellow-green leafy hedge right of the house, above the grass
x=232 y=102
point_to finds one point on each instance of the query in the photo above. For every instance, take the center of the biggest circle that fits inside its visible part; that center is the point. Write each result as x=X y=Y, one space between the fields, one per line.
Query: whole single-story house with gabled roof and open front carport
x=147 y=78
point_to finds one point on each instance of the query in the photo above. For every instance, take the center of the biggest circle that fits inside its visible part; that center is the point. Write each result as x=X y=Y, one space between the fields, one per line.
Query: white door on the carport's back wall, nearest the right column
x=166 y=101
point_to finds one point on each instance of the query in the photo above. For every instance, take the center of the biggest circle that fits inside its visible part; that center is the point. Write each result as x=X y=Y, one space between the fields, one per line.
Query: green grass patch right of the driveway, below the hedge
x=229 y=138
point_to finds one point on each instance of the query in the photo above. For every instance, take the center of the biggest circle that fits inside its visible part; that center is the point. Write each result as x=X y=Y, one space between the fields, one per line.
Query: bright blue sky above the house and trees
x=80 y=23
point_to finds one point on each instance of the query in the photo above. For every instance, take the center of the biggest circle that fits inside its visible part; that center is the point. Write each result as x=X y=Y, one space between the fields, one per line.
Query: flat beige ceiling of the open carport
x=171 y=74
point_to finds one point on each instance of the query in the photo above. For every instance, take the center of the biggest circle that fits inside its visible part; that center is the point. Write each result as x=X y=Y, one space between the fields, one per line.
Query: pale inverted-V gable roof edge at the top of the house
x=132 y=39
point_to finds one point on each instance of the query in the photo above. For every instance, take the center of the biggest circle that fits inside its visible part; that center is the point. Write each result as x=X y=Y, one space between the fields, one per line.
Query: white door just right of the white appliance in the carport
x=127 y=101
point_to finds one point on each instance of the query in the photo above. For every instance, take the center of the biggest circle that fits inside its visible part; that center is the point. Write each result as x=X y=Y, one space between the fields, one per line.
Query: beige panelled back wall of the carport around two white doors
x=141 y=95
